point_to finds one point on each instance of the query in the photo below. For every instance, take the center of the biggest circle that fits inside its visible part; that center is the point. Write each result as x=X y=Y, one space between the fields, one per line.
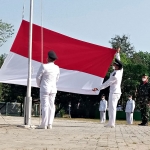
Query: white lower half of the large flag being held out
x=15 y=71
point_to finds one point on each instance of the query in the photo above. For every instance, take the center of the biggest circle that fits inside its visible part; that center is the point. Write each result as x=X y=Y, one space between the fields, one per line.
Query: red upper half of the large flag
x=72 y=54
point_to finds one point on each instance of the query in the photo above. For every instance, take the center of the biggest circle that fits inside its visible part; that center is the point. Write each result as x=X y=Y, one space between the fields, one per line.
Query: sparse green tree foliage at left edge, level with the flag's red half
x=6 y=31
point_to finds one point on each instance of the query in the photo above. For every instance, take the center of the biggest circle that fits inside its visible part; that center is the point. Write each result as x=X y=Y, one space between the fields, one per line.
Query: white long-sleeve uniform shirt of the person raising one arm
x=114 y=80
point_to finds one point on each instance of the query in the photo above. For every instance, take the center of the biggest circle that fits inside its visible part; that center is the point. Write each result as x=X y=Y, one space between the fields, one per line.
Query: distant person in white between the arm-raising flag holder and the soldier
x=130 y=106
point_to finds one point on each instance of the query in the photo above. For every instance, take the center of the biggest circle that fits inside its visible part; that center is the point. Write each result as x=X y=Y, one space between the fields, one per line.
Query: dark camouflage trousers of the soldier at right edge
x=144 y=113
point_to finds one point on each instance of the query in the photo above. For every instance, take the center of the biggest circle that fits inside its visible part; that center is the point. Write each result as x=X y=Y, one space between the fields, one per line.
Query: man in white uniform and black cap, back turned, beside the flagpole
x=46 y=79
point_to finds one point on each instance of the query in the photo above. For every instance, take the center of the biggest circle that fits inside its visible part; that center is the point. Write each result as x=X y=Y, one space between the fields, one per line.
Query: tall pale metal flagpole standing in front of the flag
x=28 y=99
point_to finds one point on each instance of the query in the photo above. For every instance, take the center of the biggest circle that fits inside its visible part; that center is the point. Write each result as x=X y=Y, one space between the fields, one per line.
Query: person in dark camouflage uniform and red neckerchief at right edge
x=143 y=99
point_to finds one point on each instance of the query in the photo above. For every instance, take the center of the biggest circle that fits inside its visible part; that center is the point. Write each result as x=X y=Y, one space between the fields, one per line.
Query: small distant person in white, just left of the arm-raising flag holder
x=102 y=109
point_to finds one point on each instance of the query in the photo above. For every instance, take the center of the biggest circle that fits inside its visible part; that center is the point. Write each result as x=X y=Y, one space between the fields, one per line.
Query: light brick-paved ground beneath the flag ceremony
x=69 y=134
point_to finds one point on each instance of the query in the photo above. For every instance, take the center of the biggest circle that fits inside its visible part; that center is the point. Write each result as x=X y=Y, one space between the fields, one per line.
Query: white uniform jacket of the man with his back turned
x=47 y=77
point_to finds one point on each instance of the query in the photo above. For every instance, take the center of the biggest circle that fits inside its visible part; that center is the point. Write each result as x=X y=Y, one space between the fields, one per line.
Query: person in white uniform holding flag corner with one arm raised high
x=115 y=90
